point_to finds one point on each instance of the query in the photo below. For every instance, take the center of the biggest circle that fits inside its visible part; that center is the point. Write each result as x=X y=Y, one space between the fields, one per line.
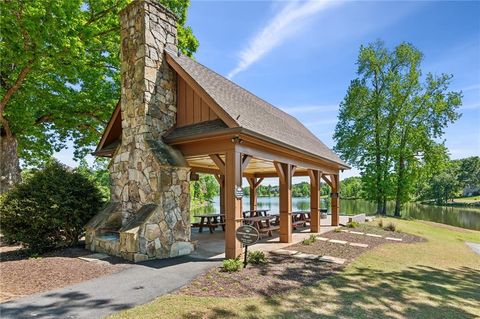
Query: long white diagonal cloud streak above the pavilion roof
x=284 y=24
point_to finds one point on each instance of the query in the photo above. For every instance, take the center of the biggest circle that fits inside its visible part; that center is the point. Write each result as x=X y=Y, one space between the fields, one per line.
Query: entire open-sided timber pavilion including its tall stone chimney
x=177 y=116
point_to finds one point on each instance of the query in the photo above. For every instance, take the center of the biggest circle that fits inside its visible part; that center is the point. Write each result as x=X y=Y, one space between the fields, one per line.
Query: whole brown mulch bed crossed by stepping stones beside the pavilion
x=284 y=273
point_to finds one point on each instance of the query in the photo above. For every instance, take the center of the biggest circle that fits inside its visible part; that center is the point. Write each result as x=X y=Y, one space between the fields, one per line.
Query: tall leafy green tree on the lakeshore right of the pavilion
x=390 y=120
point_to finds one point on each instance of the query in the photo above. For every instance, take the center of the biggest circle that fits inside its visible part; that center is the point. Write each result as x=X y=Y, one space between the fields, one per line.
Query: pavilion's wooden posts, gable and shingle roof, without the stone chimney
x=224 y=130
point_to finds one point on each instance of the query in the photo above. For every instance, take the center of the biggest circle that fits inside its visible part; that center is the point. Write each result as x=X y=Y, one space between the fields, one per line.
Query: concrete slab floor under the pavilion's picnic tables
x=212 y=246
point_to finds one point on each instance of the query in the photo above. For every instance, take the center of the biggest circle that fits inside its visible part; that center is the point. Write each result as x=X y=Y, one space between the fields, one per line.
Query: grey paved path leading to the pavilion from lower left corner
x=102 y=296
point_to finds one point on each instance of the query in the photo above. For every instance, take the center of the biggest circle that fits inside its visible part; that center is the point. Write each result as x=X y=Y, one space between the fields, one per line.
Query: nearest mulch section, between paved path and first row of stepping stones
x=279 y=275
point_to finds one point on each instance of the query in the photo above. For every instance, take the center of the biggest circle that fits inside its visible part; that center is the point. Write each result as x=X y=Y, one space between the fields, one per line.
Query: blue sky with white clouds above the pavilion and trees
x=300 y=56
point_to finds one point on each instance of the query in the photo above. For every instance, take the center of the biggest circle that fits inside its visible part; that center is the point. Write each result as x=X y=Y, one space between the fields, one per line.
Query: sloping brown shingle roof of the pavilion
x=253 y=113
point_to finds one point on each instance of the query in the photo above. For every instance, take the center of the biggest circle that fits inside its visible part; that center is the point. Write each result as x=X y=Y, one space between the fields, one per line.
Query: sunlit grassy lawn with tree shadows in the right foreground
x=437 y=278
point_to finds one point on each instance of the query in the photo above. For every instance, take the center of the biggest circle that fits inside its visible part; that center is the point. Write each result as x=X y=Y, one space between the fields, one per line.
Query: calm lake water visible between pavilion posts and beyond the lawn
x=455 y=216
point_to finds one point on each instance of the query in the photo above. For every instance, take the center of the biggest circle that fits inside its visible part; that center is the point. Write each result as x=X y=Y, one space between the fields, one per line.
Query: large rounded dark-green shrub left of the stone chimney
x=49 y=209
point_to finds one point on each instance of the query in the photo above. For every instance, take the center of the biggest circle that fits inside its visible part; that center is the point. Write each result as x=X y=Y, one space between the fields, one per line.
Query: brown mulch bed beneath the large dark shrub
x=21 y=275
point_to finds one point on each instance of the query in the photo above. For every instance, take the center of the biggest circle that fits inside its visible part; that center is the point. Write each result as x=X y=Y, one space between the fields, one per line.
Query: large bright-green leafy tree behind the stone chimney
x=59 y=75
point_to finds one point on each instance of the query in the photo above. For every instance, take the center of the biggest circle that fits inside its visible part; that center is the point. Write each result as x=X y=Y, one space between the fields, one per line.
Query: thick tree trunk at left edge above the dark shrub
x=9 y=163
